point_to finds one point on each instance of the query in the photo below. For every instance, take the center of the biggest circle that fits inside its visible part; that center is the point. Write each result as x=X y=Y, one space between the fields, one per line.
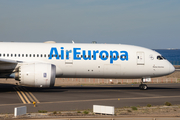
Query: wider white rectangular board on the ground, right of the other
x=103 y=109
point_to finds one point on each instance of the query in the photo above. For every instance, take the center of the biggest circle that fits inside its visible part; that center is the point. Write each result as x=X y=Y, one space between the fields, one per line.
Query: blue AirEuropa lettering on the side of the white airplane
x=79 y=54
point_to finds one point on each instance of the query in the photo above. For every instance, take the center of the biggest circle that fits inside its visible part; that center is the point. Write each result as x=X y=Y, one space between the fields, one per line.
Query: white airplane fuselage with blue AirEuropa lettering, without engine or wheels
x=101 y=60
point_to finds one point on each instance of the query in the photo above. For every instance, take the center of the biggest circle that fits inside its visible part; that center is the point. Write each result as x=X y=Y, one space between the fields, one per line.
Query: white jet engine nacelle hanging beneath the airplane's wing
x=36 y=75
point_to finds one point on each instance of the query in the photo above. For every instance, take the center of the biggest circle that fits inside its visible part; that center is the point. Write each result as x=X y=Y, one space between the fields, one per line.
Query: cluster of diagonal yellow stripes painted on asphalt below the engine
x=25 y=94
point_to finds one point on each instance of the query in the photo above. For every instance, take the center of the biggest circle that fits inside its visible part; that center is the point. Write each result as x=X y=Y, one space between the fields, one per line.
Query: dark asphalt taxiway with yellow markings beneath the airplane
x=84 y=97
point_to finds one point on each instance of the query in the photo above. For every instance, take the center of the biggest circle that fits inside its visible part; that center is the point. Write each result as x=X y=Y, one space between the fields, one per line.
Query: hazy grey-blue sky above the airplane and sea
x=153 y=24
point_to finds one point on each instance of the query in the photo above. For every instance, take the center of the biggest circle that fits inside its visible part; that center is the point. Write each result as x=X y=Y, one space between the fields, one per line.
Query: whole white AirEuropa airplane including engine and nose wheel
x=38 y=64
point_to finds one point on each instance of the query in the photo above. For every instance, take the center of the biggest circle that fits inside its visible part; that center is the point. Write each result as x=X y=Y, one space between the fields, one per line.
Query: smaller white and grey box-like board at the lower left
x=20 y=110
